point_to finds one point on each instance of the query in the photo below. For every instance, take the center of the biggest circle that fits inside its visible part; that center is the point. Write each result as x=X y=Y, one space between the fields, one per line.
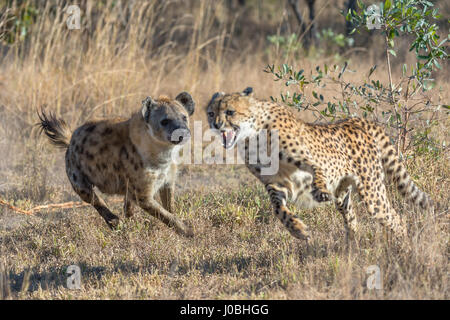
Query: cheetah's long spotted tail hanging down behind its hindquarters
x=397 y=173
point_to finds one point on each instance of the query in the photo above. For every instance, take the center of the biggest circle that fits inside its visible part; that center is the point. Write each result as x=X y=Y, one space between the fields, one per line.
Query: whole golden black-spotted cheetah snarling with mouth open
x=318 y=163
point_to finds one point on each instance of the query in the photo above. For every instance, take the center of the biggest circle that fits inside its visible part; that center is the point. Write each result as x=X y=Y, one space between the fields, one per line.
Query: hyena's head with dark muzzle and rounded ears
x=167 y=120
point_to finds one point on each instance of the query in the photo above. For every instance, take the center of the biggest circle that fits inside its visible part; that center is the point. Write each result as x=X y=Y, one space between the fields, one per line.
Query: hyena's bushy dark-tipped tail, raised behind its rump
x=57 y=131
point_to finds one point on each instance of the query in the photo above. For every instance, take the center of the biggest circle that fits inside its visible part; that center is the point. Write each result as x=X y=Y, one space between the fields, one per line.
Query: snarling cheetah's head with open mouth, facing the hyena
x=230 y=114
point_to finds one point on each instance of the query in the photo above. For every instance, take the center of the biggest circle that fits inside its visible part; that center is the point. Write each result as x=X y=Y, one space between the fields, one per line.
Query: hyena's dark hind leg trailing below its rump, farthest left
x=86 y=192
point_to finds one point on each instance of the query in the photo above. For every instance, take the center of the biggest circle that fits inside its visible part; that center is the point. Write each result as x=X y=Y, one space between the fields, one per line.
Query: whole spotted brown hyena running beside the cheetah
x=130 y=157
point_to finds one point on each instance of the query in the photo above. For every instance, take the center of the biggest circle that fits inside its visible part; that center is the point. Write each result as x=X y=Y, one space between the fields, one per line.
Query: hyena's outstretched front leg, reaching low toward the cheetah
x=155 y=209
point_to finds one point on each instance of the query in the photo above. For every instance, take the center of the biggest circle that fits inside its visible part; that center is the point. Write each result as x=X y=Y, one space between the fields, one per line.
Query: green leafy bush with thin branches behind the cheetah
x=405 y=95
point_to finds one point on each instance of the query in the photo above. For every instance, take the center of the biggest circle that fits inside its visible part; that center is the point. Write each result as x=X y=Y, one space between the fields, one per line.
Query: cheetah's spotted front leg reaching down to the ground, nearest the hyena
x=278 y=197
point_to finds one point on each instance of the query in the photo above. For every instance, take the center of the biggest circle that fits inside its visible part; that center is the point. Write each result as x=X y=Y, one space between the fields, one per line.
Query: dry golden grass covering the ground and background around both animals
x=240 y=250
